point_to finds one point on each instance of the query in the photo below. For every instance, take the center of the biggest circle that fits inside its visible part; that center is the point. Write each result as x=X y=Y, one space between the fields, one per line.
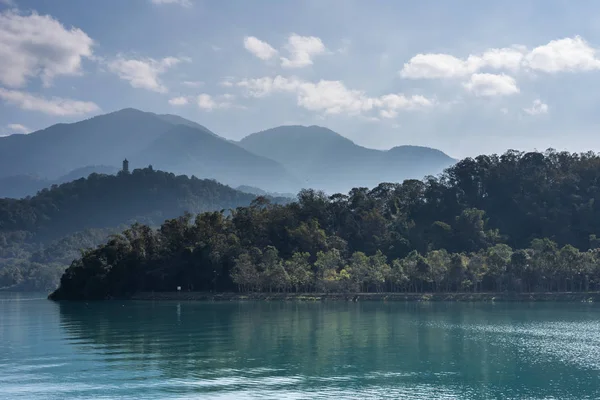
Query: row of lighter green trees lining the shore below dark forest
x=543 y=267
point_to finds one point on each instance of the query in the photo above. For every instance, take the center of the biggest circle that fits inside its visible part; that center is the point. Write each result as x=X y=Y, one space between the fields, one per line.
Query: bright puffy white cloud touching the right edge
x=570 y=54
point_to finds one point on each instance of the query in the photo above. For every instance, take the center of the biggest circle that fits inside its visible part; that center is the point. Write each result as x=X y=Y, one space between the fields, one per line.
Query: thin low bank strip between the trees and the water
x=586 y=297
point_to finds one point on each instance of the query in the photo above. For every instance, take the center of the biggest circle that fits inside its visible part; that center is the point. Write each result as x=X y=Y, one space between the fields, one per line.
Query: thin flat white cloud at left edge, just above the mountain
x=53 y=106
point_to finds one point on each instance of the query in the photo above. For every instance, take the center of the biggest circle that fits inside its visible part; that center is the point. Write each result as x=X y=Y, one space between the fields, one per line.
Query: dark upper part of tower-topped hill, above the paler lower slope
x=101 y=201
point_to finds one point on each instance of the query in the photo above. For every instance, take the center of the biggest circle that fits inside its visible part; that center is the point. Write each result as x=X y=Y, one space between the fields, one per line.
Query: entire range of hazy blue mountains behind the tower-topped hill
x=282 y=159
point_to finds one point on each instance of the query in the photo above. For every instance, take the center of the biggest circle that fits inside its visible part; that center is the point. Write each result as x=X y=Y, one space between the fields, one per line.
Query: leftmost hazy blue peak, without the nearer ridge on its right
x=61 y=148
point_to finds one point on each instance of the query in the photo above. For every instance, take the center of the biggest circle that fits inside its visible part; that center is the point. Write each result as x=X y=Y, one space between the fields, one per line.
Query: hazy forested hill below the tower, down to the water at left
x=41 y=235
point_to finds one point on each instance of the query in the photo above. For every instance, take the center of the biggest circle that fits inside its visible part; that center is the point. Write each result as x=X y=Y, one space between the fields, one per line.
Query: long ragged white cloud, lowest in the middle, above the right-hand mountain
x=333 y=97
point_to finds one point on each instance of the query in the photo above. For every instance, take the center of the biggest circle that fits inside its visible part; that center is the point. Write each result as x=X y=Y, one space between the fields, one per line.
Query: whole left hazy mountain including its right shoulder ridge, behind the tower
x=166 y=141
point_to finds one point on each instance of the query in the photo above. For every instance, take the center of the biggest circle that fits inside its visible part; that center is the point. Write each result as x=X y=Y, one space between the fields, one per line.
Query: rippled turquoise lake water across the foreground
x=170 y=350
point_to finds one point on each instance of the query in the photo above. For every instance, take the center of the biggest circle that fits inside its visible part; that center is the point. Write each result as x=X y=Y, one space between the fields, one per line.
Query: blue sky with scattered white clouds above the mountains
x=466 y=77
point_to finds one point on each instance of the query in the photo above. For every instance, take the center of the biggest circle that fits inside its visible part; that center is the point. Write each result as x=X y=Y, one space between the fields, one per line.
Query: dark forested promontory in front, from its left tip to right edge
x=516 y=221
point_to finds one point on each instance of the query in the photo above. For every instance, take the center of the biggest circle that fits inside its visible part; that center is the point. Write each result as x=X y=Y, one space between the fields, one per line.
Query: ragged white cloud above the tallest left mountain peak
x=143 y=73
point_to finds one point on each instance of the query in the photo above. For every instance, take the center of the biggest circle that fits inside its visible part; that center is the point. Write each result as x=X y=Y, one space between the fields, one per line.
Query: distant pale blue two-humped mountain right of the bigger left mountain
x=325 y=160
